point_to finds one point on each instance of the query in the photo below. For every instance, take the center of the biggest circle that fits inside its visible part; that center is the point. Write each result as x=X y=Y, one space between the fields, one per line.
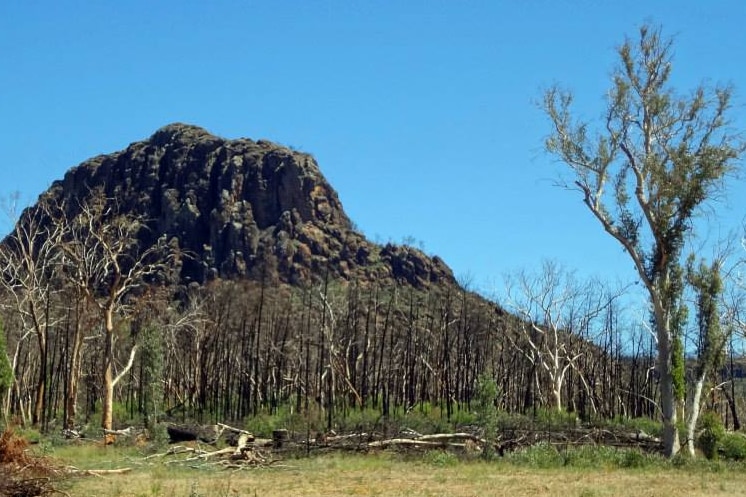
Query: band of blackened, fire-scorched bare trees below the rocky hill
x=230 y=350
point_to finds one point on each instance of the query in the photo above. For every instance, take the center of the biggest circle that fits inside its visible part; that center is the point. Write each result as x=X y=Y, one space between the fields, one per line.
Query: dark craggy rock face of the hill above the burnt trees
x=241 y=208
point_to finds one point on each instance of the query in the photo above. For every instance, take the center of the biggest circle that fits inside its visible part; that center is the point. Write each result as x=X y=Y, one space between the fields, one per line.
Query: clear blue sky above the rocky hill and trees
x=422 y=114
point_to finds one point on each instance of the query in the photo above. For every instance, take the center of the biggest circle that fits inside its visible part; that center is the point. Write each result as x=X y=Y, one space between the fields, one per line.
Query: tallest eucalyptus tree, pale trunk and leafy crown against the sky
x=645 y=172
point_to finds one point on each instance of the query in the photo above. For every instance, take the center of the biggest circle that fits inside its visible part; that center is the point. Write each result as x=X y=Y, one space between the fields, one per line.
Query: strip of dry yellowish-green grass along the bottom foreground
x=386 y=476
